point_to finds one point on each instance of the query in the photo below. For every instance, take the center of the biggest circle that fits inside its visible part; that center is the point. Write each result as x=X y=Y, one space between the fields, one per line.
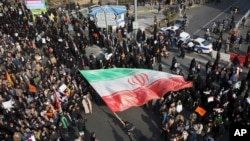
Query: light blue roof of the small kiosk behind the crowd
x=108 y=9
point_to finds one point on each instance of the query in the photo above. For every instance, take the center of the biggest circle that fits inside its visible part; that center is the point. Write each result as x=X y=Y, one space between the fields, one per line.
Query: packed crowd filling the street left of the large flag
x=42 y=95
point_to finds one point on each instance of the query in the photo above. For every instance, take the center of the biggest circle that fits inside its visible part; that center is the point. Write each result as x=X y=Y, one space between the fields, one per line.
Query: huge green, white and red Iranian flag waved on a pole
x=122 y=88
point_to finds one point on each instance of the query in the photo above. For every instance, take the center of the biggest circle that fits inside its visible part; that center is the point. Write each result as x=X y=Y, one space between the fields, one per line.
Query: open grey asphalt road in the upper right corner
x=201 y=17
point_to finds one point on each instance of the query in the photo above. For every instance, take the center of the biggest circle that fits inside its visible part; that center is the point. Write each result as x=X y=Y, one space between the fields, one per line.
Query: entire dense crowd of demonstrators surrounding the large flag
x=43 y=96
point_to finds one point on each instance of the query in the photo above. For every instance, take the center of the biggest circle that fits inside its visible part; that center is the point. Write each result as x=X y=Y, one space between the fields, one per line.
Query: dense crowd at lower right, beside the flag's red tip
x=224 y=105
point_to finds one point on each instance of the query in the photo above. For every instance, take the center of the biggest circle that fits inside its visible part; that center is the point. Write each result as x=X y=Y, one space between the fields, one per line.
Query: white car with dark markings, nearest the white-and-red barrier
x=198 y=44
